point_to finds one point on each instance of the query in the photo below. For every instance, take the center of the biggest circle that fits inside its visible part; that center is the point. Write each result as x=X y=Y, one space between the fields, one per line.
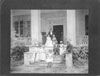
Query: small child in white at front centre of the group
x=49 y=58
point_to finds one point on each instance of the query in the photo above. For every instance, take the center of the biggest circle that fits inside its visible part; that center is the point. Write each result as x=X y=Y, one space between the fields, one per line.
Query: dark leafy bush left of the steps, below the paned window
x=18 y=52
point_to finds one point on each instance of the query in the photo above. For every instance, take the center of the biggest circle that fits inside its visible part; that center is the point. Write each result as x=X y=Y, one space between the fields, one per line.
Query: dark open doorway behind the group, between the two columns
x=58 y=31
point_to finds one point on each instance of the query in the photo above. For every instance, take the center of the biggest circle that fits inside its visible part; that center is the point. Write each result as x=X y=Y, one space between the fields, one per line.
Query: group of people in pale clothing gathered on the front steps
x=51 y=48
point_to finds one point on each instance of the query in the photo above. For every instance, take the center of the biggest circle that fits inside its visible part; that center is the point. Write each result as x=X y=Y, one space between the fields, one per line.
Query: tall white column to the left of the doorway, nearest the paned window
x=35 y=25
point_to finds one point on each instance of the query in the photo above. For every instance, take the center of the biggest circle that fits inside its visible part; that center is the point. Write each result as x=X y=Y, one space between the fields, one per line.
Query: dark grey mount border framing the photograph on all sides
x=94 y=30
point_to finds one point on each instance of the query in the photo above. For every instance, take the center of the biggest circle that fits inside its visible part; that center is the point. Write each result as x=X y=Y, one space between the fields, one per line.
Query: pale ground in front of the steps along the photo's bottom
x=41 y=67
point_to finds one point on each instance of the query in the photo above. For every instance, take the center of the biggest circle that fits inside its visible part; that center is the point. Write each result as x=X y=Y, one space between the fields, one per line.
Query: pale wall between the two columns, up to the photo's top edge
x=53 y=18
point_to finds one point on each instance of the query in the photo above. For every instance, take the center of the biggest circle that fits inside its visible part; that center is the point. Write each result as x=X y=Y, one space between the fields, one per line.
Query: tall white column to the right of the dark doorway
x=71 y=26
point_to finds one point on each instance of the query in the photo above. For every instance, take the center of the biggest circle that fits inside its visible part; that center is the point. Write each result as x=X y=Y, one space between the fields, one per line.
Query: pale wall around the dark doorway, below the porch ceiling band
x=48 y=23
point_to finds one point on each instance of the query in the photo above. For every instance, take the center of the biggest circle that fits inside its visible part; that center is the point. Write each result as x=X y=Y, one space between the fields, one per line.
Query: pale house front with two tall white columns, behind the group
x=28 y=26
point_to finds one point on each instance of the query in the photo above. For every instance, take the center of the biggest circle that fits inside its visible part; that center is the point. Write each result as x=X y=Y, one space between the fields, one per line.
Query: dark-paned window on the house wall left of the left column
x=22 y=28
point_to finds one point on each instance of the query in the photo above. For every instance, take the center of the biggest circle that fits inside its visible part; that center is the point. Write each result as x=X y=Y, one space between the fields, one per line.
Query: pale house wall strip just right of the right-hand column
x=80 y=24
